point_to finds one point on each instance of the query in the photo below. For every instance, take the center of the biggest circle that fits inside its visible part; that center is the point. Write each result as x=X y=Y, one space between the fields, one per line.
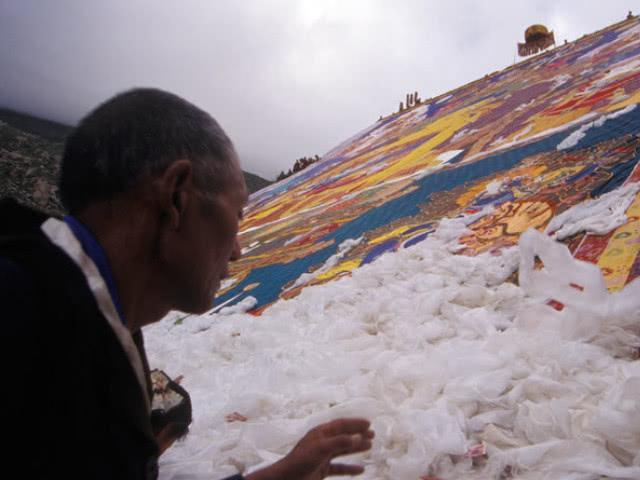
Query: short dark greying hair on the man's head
x=137 y=134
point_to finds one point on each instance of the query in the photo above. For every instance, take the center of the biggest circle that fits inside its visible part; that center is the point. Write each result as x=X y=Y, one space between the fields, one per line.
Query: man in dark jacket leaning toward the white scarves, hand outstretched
x=154 y=193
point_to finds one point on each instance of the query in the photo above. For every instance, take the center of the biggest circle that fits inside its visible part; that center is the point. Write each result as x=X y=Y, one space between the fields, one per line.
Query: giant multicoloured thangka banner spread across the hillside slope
x=509 y=151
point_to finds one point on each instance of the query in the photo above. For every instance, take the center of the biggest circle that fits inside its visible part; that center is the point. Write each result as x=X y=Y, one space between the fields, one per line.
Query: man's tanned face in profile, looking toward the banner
x=210 y=242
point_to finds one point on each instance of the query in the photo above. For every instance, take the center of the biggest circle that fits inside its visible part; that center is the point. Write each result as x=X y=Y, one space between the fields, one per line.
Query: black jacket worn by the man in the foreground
x=72 y=405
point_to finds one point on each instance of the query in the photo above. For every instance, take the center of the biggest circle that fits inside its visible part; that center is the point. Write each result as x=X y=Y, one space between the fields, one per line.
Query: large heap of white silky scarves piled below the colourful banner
x=439 y=352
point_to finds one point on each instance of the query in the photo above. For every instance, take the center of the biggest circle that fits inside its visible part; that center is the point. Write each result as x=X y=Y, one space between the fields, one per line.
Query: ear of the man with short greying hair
x=176 y=188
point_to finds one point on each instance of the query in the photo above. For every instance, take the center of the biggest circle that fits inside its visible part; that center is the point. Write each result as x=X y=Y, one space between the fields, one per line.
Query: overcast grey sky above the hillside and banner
x=285 y=78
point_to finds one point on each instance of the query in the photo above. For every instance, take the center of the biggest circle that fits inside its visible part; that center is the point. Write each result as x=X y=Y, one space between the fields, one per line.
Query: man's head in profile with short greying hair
x=151 y=155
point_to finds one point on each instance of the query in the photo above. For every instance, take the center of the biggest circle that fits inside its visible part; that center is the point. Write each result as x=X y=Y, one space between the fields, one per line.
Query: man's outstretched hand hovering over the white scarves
x=311 y=458
